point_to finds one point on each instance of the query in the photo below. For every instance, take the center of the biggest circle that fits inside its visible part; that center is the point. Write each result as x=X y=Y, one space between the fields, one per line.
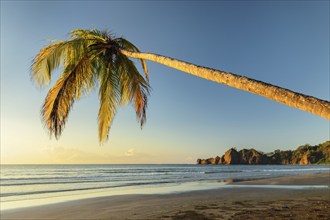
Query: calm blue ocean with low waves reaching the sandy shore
x=27 y=185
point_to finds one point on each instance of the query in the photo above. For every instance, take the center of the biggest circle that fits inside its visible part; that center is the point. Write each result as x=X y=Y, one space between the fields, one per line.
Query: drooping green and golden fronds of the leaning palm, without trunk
x=90 y=58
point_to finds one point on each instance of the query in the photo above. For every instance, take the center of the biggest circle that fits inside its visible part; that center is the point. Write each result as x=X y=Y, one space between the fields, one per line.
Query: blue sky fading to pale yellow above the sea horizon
x=285 y=43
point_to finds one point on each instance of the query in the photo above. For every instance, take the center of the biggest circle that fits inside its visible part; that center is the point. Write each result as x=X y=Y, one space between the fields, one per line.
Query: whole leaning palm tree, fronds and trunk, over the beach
x=92 y=57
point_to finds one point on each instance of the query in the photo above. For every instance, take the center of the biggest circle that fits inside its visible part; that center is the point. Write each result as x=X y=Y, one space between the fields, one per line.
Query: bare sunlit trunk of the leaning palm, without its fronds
x=297 y=100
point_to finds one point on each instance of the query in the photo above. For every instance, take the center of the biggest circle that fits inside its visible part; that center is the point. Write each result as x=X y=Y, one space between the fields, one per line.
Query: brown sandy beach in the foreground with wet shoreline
x=242 y=200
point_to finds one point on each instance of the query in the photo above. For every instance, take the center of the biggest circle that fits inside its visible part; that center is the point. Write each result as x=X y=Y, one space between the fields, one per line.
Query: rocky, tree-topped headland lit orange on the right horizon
x=303 y=155
